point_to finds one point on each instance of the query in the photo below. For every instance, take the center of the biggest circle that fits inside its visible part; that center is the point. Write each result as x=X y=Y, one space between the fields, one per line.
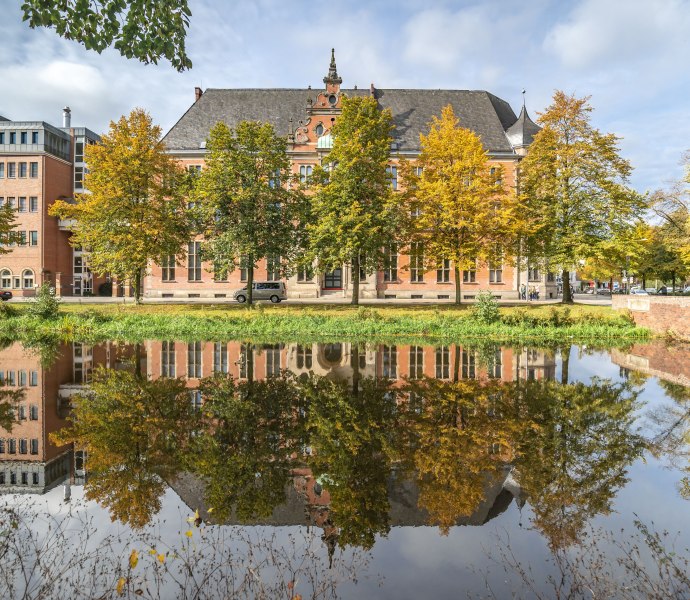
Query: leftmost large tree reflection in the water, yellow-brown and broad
x=134 y=432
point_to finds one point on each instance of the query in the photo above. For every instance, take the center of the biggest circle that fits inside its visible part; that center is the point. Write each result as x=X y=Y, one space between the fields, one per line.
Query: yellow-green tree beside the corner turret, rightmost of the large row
x=574 y=187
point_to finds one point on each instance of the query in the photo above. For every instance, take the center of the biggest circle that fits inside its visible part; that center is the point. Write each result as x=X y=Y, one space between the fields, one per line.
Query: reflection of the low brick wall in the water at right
x=656 y=359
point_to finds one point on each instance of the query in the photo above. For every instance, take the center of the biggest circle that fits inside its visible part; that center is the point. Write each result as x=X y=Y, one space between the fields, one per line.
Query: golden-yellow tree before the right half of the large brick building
x=463 y=212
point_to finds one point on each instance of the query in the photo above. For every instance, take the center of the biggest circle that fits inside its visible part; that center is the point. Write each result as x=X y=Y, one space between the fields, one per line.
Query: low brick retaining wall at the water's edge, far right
x=661 y=314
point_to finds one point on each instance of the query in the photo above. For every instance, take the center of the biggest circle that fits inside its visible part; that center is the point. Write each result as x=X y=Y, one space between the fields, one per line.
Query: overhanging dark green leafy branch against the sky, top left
x=147 y=30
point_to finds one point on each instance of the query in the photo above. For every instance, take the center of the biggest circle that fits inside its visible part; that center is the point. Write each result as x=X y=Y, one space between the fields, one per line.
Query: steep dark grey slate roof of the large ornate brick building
x=484 y=113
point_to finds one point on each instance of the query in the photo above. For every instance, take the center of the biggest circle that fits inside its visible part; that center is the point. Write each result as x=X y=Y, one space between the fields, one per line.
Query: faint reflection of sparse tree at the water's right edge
x=671 y=430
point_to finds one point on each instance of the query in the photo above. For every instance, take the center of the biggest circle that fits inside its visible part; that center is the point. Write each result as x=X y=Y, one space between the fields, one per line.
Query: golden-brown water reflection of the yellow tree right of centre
x=465 y=432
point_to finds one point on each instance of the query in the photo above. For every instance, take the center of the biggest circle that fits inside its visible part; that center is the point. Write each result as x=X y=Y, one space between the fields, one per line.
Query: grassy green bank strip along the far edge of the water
x=286 y=323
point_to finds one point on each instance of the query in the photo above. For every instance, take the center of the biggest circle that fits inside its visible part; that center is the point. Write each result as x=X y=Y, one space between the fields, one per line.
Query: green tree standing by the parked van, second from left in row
x=249 y=210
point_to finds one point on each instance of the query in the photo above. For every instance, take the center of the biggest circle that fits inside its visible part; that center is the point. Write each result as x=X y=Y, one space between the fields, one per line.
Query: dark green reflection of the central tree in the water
x=353 y=432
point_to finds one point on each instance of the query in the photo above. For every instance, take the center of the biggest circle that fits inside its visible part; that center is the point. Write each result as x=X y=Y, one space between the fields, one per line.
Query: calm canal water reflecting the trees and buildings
x=234 y=470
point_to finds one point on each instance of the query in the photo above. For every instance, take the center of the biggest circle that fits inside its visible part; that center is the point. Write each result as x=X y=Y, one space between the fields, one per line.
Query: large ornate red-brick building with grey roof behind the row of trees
x=305 y=118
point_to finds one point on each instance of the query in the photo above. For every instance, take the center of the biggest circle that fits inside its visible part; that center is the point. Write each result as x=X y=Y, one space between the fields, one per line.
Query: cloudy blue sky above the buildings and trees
x=630 y=56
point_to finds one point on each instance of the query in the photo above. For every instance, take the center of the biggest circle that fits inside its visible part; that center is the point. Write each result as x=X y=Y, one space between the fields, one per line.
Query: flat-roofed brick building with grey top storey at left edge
x=40 y=163
